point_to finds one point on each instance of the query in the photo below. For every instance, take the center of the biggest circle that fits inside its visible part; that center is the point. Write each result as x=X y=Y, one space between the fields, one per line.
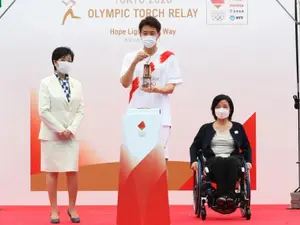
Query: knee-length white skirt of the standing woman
x=59 y=156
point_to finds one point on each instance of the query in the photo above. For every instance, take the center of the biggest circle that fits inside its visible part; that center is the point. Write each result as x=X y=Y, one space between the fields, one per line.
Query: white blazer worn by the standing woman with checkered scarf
x=57 y=114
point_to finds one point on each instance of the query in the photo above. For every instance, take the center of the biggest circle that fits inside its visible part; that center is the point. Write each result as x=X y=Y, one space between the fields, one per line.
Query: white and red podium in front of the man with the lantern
x=143 y=189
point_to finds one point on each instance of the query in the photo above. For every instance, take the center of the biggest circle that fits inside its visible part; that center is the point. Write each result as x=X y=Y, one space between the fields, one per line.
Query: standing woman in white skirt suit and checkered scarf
x=61 y=109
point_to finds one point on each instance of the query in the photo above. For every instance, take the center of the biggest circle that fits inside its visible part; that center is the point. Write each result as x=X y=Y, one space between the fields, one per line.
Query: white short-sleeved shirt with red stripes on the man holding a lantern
x=165 y=70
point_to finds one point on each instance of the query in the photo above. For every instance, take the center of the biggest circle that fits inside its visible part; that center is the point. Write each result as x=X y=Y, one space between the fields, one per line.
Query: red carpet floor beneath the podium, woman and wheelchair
x=180 y=215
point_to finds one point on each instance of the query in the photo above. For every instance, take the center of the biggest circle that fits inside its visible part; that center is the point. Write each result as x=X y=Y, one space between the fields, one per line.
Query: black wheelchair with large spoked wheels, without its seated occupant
x=204 y=192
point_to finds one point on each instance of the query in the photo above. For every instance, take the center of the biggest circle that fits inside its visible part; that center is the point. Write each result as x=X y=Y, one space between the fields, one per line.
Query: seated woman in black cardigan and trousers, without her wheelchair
x=224 y=145
